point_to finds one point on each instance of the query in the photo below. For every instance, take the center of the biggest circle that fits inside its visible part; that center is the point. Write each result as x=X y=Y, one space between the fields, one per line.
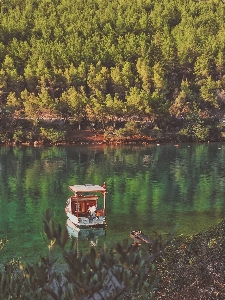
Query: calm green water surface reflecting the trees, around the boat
x=150 y=188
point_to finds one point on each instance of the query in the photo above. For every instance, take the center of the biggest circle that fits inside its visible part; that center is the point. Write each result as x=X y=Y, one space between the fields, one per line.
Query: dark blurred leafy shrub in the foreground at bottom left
x=119 y=271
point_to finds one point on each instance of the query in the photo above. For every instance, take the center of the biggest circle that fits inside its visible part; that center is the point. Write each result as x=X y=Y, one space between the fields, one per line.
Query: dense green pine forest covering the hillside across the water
x=103 y=62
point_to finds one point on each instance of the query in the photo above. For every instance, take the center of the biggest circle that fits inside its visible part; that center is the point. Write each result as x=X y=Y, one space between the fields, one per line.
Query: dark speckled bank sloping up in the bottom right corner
x=193 y=268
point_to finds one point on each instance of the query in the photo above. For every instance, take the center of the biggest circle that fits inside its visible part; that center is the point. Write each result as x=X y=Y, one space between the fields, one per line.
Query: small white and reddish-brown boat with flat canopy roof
x=82 y=208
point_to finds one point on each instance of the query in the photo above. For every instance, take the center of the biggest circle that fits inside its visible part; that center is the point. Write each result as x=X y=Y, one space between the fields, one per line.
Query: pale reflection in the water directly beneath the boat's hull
x=85 y=234
